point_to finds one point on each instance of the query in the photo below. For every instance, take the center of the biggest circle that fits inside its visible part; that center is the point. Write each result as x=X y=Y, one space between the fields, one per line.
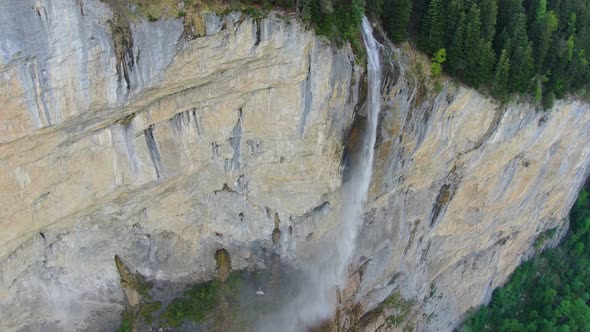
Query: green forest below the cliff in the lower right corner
x=549 y=293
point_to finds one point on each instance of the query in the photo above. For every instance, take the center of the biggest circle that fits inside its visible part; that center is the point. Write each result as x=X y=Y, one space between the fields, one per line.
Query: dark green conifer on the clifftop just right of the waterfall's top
x=396 y=16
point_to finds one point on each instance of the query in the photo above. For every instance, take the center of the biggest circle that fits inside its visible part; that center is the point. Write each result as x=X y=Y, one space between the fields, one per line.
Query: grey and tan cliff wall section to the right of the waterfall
x=462 y=189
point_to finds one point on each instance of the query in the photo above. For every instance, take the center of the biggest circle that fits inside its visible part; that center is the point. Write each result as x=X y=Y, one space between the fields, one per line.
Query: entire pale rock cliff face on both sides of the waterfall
x=123 y=137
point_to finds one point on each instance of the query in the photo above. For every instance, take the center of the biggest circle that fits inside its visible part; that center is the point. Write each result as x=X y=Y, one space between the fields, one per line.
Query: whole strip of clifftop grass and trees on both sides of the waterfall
x=533 y=47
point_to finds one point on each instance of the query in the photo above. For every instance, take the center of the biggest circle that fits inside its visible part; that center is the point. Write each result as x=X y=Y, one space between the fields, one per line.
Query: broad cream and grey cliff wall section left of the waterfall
x=127 y=138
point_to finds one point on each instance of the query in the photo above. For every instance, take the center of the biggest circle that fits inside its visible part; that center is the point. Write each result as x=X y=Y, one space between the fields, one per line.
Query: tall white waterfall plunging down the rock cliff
x=326 y=272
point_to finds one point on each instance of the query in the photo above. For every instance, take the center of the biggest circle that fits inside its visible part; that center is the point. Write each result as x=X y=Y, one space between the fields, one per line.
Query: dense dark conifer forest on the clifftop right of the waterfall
x=537 y=47
